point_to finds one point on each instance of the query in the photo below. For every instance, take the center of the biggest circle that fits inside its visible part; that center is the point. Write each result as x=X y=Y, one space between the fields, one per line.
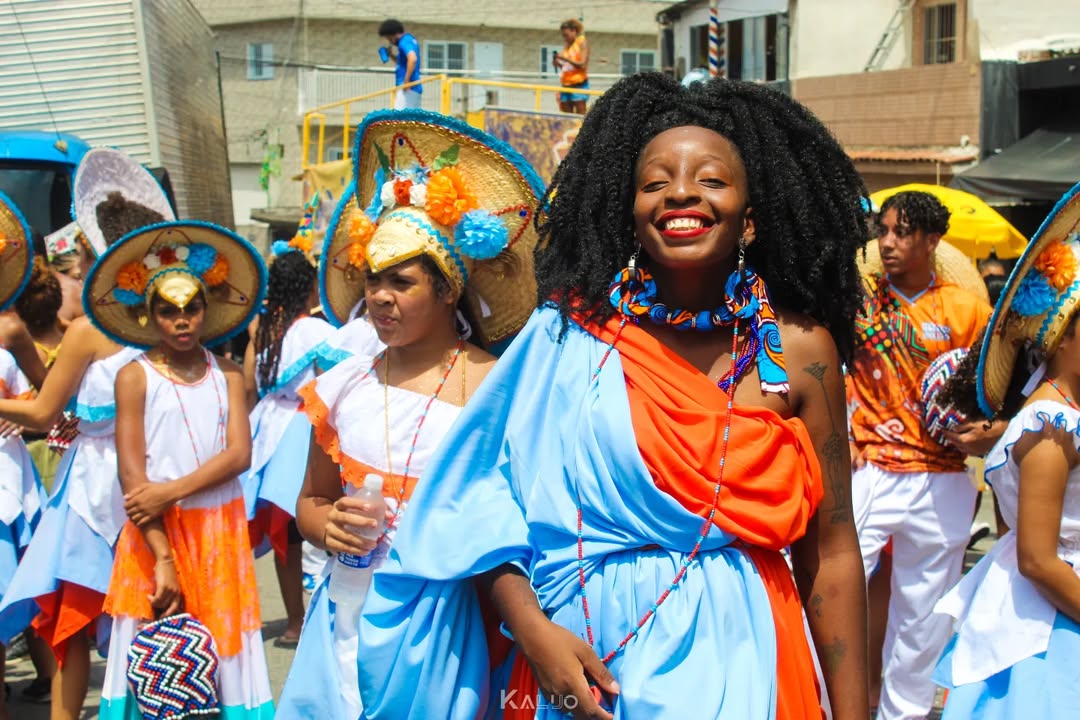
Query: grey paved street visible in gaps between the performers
x=20 y=673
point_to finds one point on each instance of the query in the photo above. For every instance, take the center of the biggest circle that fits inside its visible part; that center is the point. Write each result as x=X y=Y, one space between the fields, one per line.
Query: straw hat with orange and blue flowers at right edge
x=1036 y=305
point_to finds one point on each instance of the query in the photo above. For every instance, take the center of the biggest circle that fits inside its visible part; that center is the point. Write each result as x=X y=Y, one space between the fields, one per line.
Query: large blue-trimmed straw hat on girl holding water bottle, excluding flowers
x=501 y=292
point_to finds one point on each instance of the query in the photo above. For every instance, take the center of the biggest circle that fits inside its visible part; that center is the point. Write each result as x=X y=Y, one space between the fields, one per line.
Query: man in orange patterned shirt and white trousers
x=908 y=487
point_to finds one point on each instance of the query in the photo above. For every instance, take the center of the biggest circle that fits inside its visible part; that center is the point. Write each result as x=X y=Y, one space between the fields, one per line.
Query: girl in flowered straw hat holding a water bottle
x=385 y=416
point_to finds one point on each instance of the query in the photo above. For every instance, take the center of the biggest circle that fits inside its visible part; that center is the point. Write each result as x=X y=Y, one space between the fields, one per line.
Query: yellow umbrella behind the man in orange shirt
x=976 y=228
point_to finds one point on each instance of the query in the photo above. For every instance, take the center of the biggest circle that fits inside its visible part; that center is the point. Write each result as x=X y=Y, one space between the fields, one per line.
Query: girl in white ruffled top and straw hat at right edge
x=1017 y=647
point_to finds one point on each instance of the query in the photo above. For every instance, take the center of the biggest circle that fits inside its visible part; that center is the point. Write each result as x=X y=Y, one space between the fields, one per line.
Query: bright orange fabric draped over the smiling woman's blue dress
x=772 y=487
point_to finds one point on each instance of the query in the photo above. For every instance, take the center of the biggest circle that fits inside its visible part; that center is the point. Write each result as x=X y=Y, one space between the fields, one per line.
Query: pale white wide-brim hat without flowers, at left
x=103 y=171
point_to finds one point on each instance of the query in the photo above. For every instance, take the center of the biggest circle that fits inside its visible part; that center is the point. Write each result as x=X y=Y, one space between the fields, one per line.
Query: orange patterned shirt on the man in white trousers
x=898 y=337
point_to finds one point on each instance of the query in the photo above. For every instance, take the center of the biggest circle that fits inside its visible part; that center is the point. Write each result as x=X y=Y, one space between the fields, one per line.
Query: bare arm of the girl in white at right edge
x=1045 y=465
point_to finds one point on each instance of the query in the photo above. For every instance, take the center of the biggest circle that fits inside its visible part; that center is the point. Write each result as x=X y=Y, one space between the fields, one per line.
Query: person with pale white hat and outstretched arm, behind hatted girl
x=62 y=582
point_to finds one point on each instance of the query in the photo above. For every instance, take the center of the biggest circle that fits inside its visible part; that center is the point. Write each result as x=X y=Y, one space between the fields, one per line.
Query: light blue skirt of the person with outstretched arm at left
x=63 y=549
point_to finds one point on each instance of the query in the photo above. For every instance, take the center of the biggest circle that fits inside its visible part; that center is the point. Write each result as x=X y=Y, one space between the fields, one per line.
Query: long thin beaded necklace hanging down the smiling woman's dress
x=731 y=392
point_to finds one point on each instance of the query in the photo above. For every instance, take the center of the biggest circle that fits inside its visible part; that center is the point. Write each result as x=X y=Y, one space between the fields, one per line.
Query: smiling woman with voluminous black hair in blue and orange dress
x=668 y=423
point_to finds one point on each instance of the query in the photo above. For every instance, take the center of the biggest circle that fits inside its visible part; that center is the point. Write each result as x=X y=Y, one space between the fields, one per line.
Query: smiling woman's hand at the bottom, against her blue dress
x=563 y=665
